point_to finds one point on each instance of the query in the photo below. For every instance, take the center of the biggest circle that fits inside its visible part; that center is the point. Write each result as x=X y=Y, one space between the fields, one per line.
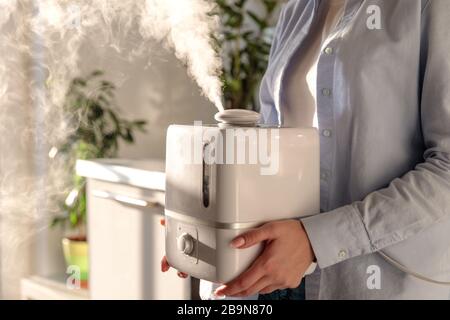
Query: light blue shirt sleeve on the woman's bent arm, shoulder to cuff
x=421 y=198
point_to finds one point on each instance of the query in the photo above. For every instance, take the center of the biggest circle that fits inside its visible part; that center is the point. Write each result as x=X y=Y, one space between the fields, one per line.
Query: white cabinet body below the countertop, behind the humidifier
x=126 y=243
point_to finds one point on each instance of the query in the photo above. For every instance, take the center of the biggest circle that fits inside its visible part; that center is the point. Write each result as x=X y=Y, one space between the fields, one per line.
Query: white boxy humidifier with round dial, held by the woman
x=226 y=179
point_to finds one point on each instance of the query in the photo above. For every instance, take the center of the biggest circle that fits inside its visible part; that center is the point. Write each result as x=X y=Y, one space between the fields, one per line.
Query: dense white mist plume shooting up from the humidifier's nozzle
x=187 y=26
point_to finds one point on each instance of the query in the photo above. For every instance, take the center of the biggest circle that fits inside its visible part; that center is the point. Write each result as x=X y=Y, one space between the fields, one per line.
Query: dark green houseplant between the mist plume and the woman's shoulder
x=244 y=41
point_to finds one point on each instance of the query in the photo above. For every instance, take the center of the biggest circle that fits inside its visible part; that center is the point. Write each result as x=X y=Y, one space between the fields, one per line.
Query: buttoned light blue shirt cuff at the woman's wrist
x=337 y=235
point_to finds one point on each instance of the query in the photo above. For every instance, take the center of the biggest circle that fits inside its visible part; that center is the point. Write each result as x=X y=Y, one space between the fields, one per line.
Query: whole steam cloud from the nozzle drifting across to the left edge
x=40 y=41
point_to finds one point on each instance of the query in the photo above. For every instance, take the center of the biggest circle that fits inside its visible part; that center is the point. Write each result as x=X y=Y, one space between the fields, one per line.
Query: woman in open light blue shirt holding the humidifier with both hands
x=374 y=78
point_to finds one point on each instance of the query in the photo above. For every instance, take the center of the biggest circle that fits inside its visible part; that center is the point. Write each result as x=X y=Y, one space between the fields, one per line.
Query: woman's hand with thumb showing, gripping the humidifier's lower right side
x=286 y=257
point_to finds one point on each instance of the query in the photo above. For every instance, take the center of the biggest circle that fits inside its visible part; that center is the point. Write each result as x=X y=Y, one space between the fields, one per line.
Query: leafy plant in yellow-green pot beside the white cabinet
x=98 y=127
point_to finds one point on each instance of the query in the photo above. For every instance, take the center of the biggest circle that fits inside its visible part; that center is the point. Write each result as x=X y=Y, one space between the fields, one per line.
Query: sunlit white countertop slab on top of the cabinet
x=148 y=174
